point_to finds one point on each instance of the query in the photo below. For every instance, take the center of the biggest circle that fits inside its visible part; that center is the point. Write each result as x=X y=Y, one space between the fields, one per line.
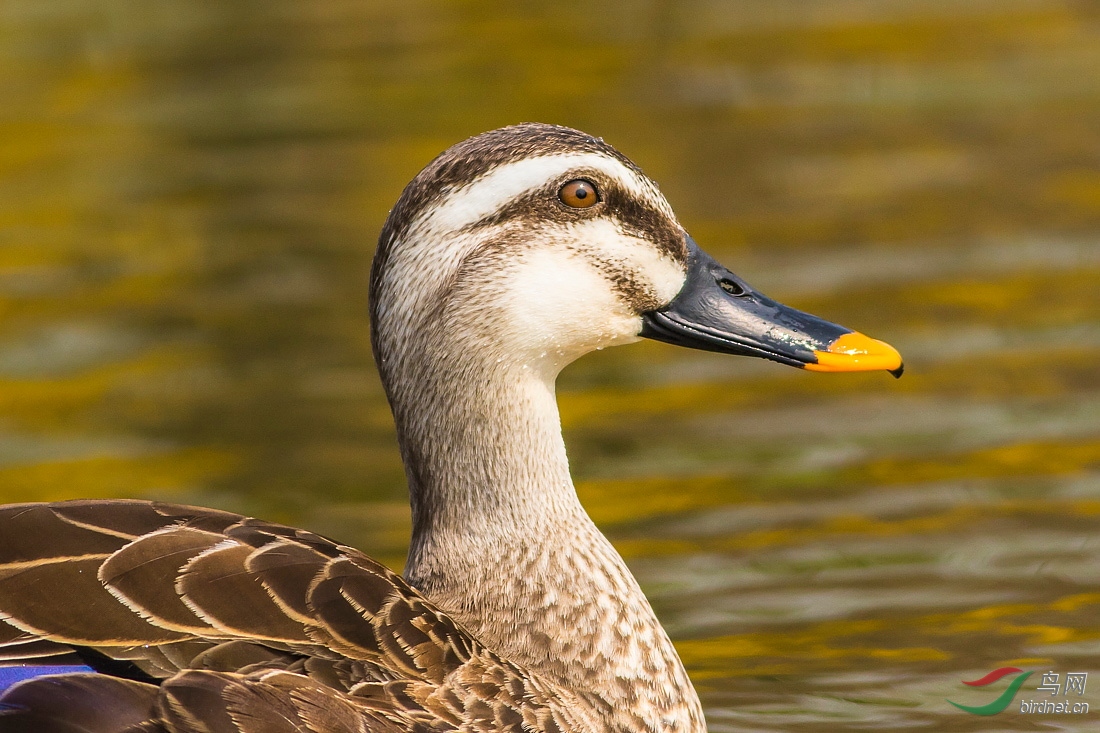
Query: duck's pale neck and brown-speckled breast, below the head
x=502 y=543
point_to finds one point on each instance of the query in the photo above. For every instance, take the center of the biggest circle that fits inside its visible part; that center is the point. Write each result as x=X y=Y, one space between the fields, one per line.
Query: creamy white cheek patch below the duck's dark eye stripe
x=557 y=308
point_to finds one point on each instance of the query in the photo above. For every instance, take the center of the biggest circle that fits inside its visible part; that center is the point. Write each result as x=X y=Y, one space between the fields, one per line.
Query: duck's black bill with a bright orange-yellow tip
x=717 y=311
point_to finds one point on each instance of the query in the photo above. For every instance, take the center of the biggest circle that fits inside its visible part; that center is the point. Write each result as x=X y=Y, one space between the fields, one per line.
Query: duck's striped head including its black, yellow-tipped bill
x=533 y=245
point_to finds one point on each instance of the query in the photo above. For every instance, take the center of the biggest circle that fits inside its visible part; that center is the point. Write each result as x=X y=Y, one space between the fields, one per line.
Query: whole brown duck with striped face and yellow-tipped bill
x=510 y=256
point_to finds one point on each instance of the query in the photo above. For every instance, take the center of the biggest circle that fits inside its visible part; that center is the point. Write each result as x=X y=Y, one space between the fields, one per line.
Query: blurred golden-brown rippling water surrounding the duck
x=190 y=196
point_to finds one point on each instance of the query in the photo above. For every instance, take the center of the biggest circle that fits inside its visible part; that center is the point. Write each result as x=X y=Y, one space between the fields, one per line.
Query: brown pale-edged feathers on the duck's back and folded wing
x=239 y=627
